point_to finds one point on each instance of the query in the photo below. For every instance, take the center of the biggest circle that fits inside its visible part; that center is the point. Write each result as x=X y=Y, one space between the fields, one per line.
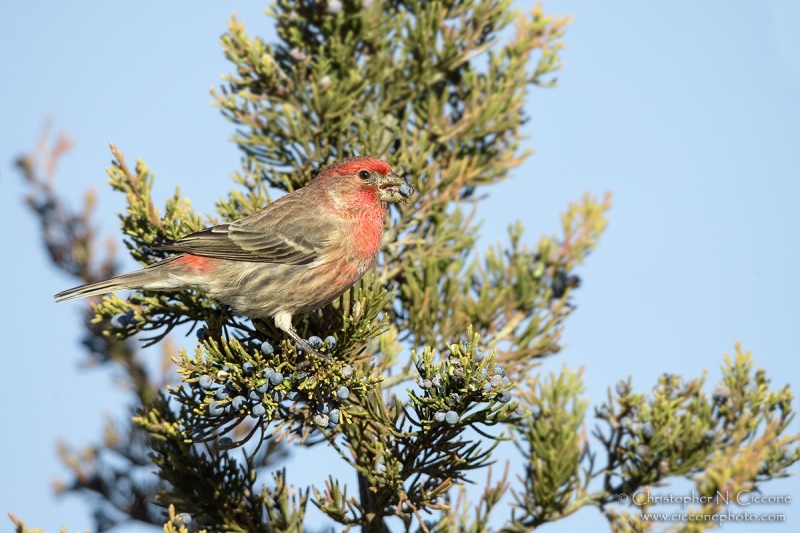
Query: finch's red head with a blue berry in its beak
x=363 y=180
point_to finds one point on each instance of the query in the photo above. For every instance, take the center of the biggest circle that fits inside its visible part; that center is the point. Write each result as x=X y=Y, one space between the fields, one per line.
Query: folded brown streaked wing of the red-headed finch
x=284 y=232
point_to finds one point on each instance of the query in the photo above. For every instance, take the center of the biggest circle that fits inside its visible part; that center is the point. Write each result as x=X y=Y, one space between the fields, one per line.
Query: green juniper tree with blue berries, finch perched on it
x=432 y=352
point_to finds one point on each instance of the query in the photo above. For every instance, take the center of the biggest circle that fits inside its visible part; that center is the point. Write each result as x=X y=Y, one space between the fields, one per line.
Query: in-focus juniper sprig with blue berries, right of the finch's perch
x=408 y=458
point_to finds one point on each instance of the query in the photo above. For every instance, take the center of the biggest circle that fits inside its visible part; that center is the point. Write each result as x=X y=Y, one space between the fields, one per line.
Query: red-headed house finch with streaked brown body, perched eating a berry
x=297 y=254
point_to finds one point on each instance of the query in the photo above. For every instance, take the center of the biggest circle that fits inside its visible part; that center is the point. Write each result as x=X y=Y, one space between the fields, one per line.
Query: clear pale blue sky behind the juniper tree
x=689 y=112
